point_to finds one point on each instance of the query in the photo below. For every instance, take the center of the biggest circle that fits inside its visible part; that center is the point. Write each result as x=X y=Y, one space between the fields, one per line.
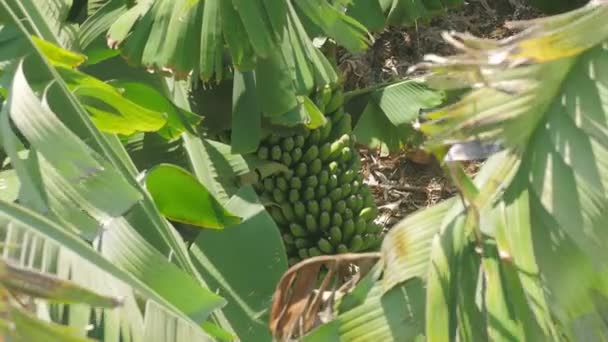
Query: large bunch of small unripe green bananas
x=321 y=205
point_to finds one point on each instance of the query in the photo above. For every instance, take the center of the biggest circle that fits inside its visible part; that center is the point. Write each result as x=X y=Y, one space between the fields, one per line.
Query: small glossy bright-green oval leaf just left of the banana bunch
x=180 y=197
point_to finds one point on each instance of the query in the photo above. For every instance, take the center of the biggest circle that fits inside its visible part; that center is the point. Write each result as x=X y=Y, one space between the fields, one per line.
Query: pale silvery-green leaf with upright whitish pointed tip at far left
x=93 y=178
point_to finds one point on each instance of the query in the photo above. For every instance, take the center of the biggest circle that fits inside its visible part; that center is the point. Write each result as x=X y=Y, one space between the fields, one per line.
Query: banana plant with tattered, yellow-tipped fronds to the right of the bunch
x=520 y=255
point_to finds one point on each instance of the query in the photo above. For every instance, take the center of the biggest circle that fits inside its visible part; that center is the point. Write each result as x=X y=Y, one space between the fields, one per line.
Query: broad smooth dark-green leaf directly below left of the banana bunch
x=257 y=238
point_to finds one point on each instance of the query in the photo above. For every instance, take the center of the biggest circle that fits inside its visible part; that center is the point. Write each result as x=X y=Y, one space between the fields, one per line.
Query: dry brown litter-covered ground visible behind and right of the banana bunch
x=406 y=182
